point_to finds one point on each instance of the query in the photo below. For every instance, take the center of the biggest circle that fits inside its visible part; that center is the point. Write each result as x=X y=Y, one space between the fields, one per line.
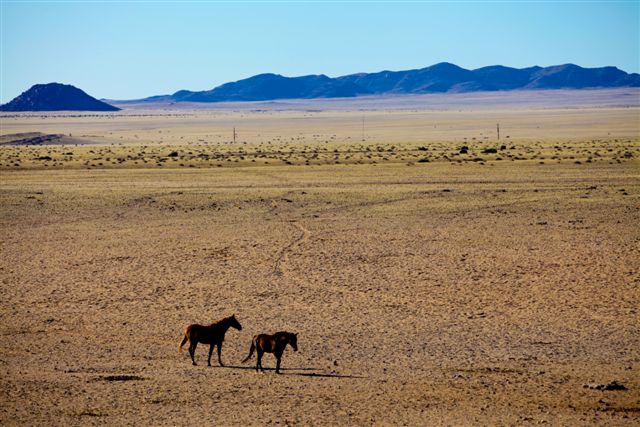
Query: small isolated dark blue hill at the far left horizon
x=55 y=97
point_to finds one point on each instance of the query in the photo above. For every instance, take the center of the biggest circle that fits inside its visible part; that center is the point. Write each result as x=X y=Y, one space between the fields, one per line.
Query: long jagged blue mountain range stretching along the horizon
x=439 y=78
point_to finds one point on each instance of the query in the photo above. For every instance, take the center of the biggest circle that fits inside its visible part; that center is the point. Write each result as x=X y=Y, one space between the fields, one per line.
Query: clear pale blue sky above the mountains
x=126 y=50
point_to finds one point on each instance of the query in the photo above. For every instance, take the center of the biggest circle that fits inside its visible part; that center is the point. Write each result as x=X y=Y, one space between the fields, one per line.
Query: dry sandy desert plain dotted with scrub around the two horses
x=428 y=284
